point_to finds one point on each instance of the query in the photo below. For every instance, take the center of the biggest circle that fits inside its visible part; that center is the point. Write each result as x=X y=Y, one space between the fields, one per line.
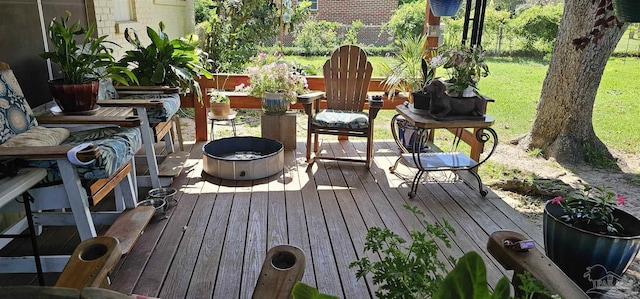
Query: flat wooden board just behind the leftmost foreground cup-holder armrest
x=129 y=226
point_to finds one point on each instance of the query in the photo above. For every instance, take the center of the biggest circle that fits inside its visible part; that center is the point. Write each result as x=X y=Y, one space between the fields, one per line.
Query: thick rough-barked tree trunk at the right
x=563 y=126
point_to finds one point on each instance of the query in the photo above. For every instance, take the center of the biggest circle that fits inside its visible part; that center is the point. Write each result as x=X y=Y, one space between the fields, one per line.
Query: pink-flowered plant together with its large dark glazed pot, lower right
x=589 y=238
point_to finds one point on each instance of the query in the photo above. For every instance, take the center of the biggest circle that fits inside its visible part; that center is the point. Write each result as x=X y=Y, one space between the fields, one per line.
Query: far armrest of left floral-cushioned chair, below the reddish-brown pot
x=123 y=121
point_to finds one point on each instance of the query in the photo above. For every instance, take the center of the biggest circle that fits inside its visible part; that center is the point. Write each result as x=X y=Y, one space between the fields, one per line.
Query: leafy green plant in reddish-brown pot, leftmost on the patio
x=82 y=65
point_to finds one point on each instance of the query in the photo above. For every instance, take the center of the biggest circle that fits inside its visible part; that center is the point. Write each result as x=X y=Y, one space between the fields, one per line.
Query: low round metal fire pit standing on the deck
x=243 y=158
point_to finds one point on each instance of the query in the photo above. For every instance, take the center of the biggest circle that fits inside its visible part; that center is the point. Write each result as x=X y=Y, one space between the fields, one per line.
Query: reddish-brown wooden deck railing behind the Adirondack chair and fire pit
x=243 y=100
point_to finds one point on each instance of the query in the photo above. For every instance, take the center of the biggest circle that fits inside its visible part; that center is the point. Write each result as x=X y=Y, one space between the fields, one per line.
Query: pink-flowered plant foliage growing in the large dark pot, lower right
x=592 y=209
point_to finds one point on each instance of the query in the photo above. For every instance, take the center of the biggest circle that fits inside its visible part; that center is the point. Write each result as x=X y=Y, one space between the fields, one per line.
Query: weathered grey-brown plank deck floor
x=214 y=241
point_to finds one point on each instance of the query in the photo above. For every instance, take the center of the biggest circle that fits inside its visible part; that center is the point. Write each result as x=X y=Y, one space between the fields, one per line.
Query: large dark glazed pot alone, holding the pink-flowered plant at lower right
x=594 y=261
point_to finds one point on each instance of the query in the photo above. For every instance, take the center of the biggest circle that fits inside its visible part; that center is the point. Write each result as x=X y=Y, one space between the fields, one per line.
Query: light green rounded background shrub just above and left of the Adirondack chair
x=316 y=37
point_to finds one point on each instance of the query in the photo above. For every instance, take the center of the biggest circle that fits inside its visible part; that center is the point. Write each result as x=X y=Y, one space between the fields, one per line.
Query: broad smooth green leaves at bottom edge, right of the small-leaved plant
x=468 y=279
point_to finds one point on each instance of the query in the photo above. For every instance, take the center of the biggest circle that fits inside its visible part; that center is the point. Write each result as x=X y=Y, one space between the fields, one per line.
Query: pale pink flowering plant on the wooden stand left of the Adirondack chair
x=268 y=73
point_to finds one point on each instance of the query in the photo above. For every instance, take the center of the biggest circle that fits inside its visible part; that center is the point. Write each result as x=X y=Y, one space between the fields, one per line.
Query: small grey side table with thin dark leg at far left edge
x=13 y=187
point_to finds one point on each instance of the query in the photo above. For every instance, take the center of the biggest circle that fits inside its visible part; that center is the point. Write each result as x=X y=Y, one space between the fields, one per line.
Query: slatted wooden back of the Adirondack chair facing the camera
x=347 y=75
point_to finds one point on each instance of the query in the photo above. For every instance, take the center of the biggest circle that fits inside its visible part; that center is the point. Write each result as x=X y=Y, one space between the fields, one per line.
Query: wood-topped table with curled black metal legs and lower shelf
x=424 y=158
